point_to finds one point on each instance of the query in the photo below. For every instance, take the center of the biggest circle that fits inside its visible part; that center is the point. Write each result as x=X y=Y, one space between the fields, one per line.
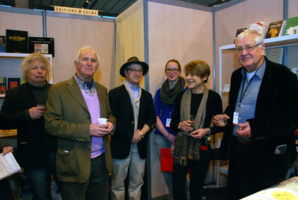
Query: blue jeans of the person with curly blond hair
x=40 y=179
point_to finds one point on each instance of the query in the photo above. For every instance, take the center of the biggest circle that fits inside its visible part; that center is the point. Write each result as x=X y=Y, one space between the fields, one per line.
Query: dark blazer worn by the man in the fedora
x=122 y=109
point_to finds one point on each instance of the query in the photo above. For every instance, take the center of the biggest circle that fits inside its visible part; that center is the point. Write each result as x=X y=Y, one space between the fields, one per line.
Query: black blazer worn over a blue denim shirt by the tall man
x=276 y=112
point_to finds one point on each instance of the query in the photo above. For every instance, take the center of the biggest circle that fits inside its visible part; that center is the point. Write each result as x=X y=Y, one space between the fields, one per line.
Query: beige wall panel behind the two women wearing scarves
x=174 y=33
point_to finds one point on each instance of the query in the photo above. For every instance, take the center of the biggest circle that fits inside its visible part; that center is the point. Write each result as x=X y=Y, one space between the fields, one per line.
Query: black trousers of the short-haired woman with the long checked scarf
x=198 y=171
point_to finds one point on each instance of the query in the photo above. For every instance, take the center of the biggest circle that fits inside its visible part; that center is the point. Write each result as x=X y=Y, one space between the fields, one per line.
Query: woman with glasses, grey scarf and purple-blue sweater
x=164 y=106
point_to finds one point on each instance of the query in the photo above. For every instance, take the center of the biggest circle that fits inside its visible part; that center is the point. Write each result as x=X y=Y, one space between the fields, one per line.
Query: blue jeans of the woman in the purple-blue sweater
x=162 y=142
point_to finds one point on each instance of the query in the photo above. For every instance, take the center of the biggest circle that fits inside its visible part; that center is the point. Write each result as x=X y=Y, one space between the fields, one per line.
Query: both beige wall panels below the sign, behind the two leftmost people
x=70 y=32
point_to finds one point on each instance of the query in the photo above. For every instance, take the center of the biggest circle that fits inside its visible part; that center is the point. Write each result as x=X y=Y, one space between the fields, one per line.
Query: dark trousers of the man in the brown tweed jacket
x=95 y=188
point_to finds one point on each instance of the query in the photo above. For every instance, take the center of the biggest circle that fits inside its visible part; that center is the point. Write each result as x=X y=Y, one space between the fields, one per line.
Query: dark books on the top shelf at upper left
x=17 y=41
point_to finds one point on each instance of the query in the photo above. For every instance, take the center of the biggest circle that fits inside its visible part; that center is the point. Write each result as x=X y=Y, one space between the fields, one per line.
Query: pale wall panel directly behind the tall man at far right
x=241 y=15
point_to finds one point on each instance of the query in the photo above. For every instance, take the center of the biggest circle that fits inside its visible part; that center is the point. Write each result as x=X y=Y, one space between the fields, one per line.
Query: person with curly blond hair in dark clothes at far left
x=23 y=109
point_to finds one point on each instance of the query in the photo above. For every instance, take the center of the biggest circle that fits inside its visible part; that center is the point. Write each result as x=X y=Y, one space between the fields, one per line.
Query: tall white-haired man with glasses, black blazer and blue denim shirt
x=262 y=117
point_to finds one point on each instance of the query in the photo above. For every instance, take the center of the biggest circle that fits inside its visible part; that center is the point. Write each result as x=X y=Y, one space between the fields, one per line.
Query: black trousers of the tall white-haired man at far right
x=251 y=169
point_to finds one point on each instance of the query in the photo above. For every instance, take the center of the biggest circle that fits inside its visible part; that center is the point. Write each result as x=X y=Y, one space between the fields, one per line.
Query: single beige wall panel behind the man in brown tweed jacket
x=71 y=34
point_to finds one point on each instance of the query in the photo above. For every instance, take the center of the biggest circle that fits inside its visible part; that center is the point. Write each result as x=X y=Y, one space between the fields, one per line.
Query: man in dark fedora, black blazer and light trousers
x=134 y=111
